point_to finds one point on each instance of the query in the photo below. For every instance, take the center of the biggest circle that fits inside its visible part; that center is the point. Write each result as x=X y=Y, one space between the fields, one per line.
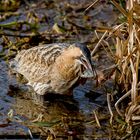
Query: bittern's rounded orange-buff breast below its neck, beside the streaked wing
x=64 y=75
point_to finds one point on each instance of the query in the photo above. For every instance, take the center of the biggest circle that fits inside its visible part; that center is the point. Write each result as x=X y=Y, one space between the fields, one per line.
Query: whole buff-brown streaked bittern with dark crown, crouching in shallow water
x=54 y=68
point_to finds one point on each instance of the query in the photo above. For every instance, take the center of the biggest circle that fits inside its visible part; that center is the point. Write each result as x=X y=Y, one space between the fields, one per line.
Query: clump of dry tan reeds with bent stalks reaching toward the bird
x=127 y=57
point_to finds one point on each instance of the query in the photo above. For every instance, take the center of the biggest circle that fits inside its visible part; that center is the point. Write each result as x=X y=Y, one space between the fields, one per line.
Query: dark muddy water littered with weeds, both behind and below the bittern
x=85 y=116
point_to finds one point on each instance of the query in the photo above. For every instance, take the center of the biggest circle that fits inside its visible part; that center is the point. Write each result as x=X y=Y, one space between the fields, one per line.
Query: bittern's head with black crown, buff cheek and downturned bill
x=82 y=56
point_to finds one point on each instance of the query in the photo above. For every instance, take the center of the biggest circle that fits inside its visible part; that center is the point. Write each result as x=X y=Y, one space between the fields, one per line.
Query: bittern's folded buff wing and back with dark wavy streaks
x=34 y=62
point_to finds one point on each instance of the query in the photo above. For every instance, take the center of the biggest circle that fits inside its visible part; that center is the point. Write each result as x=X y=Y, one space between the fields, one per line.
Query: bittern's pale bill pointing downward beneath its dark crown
x=88 y=72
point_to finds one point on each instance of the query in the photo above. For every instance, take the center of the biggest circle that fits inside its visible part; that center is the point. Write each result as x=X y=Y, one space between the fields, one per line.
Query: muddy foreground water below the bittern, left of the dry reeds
x=64 y=117
